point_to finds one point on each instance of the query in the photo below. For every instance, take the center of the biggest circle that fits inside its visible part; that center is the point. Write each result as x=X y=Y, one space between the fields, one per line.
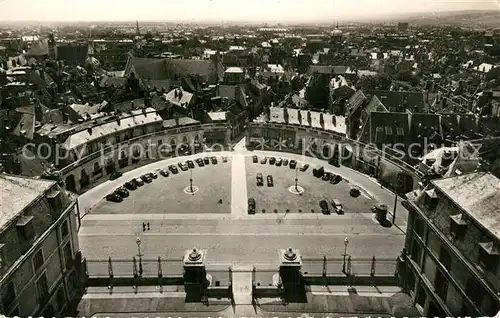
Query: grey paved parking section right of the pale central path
x=279 y=197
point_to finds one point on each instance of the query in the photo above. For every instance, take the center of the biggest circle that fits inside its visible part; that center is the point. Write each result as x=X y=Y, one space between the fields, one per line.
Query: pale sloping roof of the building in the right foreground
x=478 y=195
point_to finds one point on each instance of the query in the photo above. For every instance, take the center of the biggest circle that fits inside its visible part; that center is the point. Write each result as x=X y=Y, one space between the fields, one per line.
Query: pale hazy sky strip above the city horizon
x=225 y=10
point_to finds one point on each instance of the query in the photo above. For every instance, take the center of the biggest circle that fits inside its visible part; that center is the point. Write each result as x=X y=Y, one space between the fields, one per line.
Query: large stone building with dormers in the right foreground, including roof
x=453 y=246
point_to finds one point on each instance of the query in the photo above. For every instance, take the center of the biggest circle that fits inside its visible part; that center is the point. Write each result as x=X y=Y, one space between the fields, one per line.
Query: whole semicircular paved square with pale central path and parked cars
x=180 y=222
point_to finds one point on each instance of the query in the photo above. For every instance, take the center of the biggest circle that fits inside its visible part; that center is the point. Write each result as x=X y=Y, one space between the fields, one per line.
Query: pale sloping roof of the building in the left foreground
x=16 y=193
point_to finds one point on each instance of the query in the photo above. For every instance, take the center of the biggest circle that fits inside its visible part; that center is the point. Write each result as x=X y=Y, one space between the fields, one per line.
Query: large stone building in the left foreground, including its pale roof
x=39 y=253
